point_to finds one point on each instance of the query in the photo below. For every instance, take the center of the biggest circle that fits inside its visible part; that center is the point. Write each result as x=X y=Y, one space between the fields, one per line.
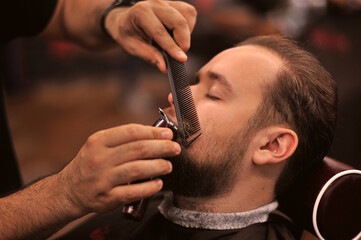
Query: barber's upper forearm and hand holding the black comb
x=133 y=28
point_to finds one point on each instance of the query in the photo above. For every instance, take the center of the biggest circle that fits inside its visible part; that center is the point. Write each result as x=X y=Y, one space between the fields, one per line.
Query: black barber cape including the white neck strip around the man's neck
x=163 y=221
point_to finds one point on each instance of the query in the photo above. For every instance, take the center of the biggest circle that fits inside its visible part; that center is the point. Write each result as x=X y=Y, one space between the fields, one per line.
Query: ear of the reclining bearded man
x=274 y=145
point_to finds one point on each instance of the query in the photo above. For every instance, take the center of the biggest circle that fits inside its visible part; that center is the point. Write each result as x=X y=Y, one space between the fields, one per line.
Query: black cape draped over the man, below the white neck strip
x=154 y=226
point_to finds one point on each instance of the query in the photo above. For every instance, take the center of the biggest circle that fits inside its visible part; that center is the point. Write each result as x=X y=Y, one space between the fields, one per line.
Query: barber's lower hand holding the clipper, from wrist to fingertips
x=97 y=178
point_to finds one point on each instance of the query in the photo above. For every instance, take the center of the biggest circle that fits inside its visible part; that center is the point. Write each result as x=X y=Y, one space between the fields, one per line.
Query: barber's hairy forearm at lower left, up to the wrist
x=37 y=211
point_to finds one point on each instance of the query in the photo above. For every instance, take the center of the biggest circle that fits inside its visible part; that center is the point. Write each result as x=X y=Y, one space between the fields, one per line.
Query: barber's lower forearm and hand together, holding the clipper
x=96 y=180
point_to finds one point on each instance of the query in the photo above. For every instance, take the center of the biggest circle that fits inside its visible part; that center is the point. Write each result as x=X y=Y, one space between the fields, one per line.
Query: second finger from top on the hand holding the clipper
x=145 y=149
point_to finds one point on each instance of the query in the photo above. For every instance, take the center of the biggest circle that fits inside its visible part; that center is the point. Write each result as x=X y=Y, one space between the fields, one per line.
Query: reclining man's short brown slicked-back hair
x=304 y=96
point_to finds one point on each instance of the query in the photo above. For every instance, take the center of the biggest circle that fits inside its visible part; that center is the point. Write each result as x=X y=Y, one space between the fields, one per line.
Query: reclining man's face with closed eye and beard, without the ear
x=227 y=94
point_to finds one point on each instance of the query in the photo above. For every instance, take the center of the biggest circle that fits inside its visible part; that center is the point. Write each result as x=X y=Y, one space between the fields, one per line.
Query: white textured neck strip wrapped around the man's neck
x=214 y=221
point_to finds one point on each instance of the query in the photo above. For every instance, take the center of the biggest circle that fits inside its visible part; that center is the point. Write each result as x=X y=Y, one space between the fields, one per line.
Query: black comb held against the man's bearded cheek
x=187 y=118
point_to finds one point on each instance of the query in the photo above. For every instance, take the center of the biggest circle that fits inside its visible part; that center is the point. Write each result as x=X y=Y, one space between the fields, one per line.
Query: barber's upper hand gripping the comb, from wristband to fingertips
x=135 y=27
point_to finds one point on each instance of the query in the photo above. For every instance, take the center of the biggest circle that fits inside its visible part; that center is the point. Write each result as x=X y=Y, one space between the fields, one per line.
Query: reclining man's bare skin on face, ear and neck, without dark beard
x=225 y=108
